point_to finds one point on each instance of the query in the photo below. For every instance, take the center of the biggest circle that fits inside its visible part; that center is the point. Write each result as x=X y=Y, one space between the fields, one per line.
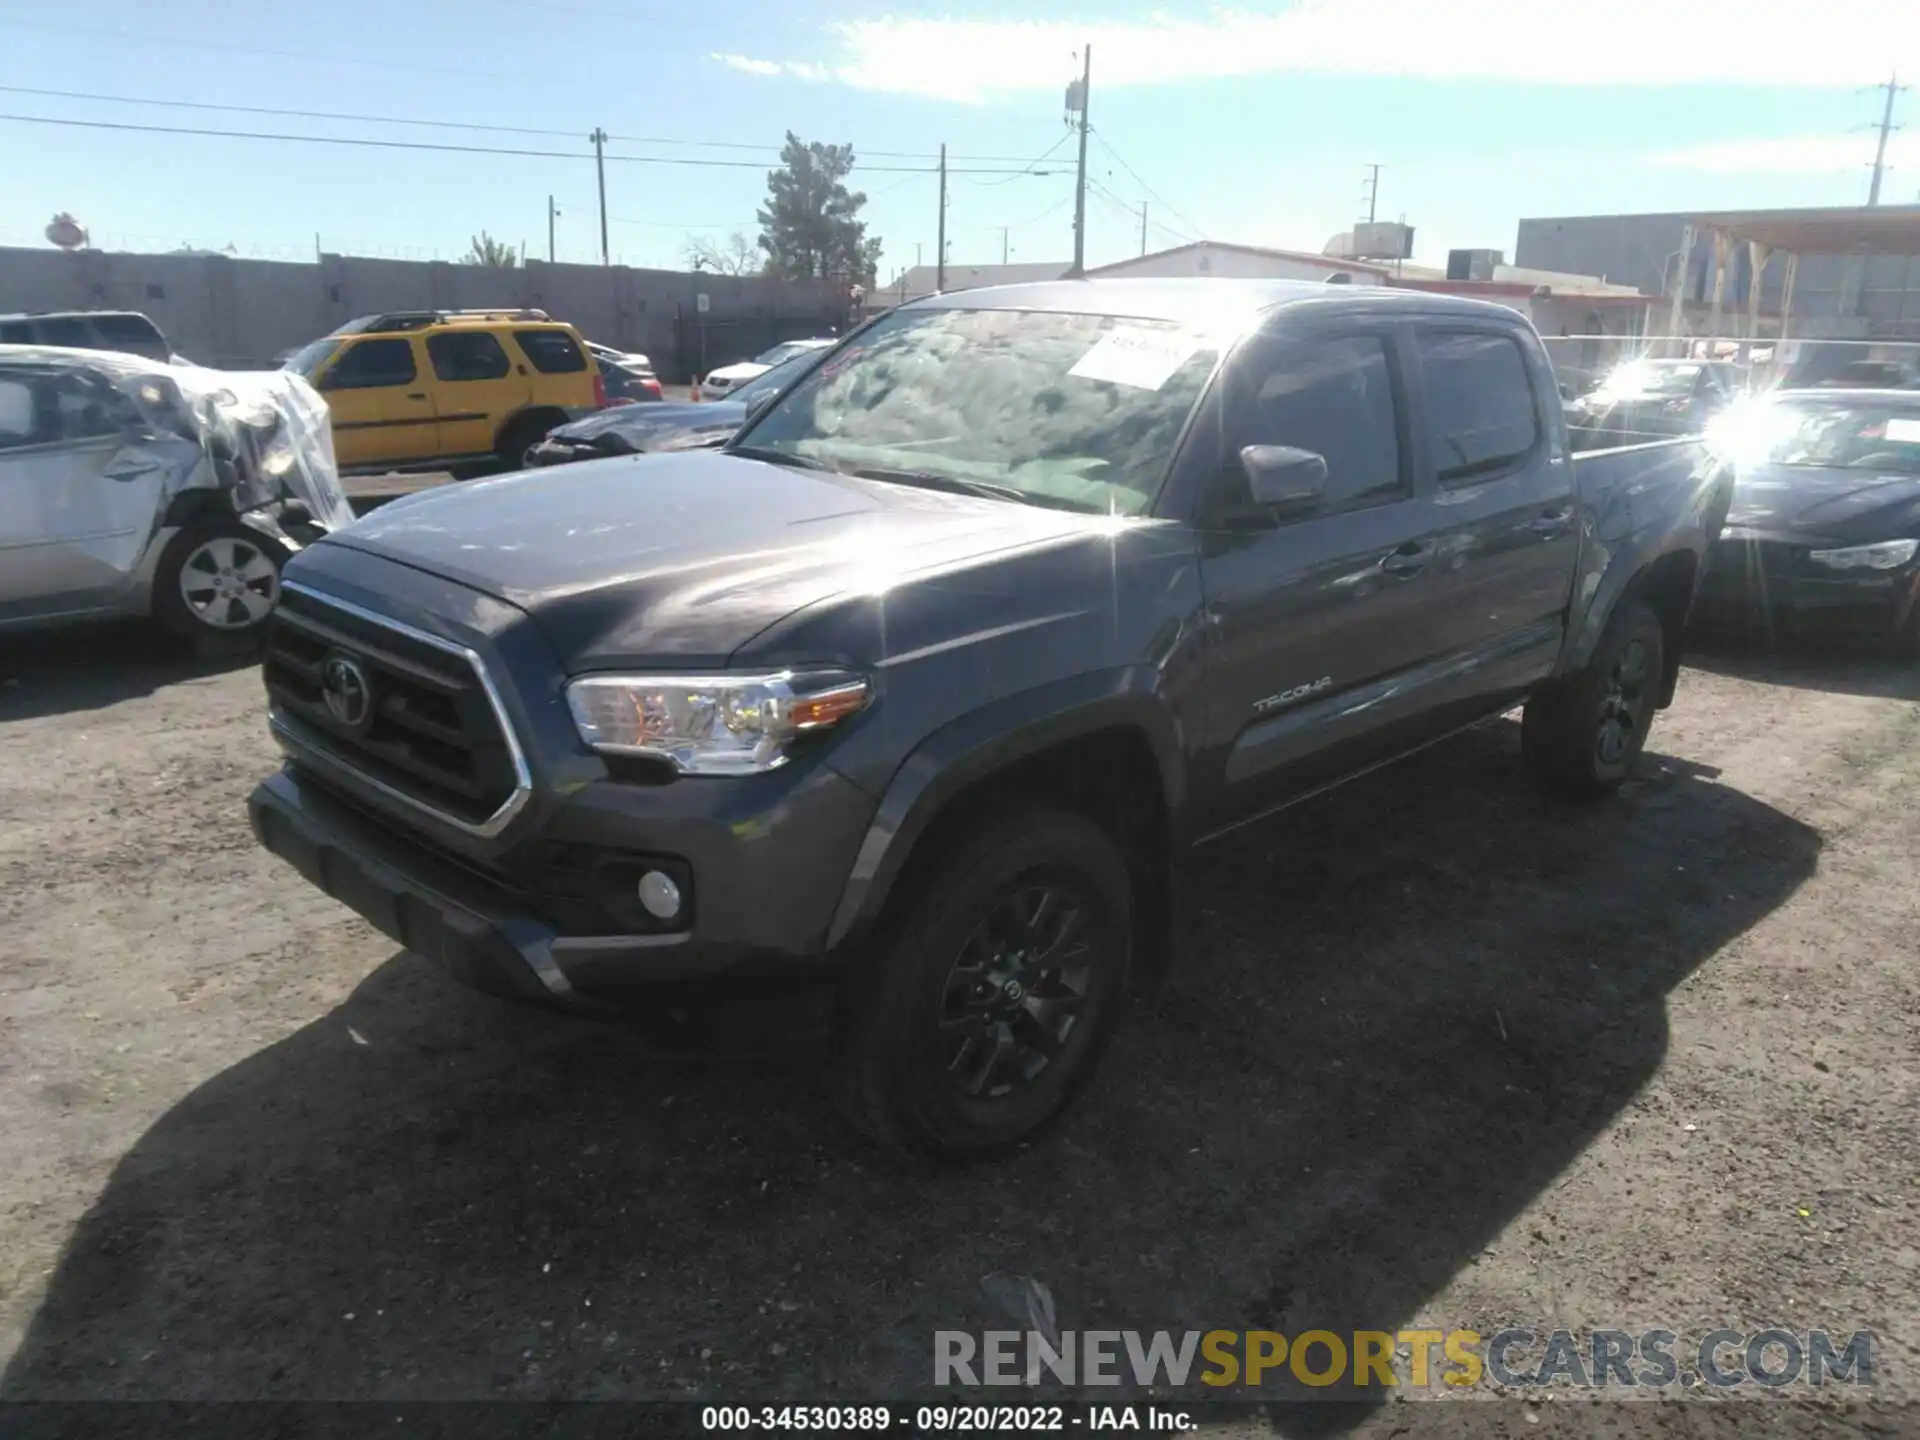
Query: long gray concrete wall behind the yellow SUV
x=241 y=314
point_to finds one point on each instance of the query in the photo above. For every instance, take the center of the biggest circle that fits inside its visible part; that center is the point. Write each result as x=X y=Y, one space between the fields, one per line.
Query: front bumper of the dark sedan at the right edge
x=1754 y=581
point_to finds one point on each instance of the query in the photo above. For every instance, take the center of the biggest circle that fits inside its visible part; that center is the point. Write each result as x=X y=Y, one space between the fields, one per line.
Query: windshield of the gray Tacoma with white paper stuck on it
x=1080 y=412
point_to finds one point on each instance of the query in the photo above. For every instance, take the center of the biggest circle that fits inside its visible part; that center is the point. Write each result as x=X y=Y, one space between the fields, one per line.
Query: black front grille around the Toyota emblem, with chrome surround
x=431 y=731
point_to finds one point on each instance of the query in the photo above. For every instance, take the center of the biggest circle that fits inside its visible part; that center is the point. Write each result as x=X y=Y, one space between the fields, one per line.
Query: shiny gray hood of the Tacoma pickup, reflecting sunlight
x=686 y=558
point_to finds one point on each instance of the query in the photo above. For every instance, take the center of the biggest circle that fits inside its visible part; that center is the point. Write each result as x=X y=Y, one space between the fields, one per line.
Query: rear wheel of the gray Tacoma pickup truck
x=1581 y=736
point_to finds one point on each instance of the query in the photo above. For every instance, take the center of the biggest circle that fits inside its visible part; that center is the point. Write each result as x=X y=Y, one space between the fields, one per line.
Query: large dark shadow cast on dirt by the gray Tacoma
x=1416 y=1003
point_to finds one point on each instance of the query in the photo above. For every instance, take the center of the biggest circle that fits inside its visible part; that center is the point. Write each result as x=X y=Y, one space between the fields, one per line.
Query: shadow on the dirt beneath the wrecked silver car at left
x=97 y=665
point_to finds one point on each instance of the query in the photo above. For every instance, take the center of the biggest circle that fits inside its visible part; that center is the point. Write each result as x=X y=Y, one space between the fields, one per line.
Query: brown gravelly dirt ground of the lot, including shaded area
x=1451 y=1057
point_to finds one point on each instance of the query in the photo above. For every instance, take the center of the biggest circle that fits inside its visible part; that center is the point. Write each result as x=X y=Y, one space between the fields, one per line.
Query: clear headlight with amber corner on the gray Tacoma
x=713 y=725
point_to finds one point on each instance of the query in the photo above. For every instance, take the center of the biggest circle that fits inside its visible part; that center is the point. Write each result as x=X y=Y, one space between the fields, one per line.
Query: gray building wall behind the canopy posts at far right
x=1835 y=295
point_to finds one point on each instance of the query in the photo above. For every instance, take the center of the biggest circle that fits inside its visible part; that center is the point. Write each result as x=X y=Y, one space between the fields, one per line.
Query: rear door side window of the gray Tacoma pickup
x=1481 y=412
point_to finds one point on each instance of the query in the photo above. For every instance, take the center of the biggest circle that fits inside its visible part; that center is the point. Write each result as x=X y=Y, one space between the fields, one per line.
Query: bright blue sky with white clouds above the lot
x=1251 y=124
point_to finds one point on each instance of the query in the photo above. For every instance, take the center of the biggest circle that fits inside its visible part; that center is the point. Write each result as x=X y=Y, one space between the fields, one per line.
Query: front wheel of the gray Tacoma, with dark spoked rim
x=957 y=1040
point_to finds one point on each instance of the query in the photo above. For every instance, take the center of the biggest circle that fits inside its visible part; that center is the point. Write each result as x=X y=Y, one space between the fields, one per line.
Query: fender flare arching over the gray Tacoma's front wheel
x=982 y=742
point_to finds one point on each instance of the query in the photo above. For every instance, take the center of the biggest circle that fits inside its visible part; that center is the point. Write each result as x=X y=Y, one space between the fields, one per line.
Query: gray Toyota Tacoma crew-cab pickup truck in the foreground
x=936 y=677
